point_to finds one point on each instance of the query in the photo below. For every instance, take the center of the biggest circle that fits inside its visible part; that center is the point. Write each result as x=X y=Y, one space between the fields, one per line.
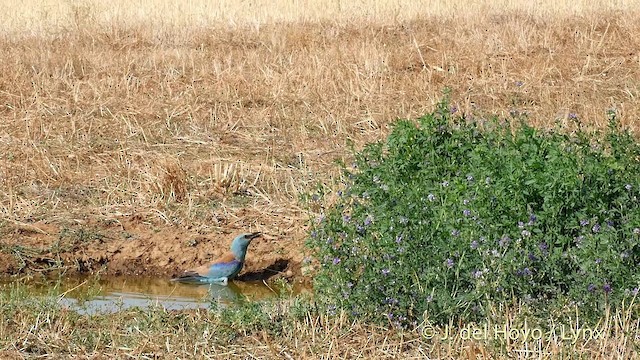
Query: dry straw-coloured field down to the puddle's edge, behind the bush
x=140 y=136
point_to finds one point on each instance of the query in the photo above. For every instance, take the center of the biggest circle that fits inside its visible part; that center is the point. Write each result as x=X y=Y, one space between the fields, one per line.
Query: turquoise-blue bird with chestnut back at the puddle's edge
x=223 y=269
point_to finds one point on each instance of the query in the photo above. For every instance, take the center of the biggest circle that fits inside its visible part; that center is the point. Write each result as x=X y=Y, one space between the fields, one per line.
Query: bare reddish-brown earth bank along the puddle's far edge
x=131 y=246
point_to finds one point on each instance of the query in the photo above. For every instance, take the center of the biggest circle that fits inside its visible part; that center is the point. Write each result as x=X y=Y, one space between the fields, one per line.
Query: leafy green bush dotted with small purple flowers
x=450 y=215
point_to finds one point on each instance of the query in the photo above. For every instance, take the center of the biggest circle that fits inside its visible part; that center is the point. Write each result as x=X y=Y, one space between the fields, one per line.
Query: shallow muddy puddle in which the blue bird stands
x=111 y=294
